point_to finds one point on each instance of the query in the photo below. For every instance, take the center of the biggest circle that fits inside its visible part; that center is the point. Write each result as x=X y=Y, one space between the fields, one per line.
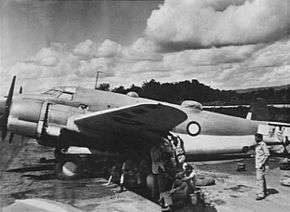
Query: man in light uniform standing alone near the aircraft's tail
x=261 y=158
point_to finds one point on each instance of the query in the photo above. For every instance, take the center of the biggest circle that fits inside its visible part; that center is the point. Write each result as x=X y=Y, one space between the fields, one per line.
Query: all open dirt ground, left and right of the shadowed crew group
x=22 y=176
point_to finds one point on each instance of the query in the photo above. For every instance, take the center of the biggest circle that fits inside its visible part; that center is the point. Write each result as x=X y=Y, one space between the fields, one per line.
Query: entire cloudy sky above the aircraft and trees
x=226 y=44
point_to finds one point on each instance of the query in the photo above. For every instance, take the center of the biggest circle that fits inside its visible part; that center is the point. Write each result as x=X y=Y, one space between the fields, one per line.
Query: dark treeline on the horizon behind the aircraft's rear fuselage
x=194 y=90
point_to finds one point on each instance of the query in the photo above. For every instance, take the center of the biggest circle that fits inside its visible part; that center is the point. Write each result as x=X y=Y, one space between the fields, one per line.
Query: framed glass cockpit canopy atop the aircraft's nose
x=62 y=92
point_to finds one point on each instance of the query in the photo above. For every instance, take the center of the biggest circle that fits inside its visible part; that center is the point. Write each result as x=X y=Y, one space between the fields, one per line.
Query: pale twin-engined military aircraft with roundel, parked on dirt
x=112 y=123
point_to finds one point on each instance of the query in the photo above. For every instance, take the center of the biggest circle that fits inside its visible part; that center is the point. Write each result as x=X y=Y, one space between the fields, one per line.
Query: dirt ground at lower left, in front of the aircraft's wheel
x=23 y=177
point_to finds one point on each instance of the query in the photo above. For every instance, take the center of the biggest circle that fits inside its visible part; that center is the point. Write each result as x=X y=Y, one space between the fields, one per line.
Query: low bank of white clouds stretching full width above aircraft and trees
x=225 y=67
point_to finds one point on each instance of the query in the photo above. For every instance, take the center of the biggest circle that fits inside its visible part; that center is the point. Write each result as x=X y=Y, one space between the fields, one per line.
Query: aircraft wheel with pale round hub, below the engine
x=68 y=168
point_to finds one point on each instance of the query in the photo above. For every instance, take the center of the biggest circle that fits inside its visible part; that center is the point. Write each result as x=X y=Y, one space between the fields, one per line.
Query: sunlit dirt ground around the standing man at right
x=236 y=191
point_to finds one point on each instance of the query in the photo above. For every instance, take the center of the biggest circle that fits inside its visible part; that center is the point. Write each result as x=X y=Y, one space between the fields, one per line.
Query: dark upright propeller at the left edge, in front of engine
x=4 y=118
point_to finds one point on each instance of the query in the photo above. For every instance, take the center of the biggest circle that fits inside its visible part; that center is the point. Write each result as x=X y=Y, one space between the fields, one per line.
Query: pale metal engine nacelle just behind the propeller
x=40 y=120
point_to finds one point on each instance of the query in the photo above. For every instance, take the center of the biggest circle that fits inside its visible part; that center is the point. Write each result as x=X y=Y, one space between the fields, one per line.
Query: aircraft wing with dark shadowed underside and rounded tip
x=132 y=120
